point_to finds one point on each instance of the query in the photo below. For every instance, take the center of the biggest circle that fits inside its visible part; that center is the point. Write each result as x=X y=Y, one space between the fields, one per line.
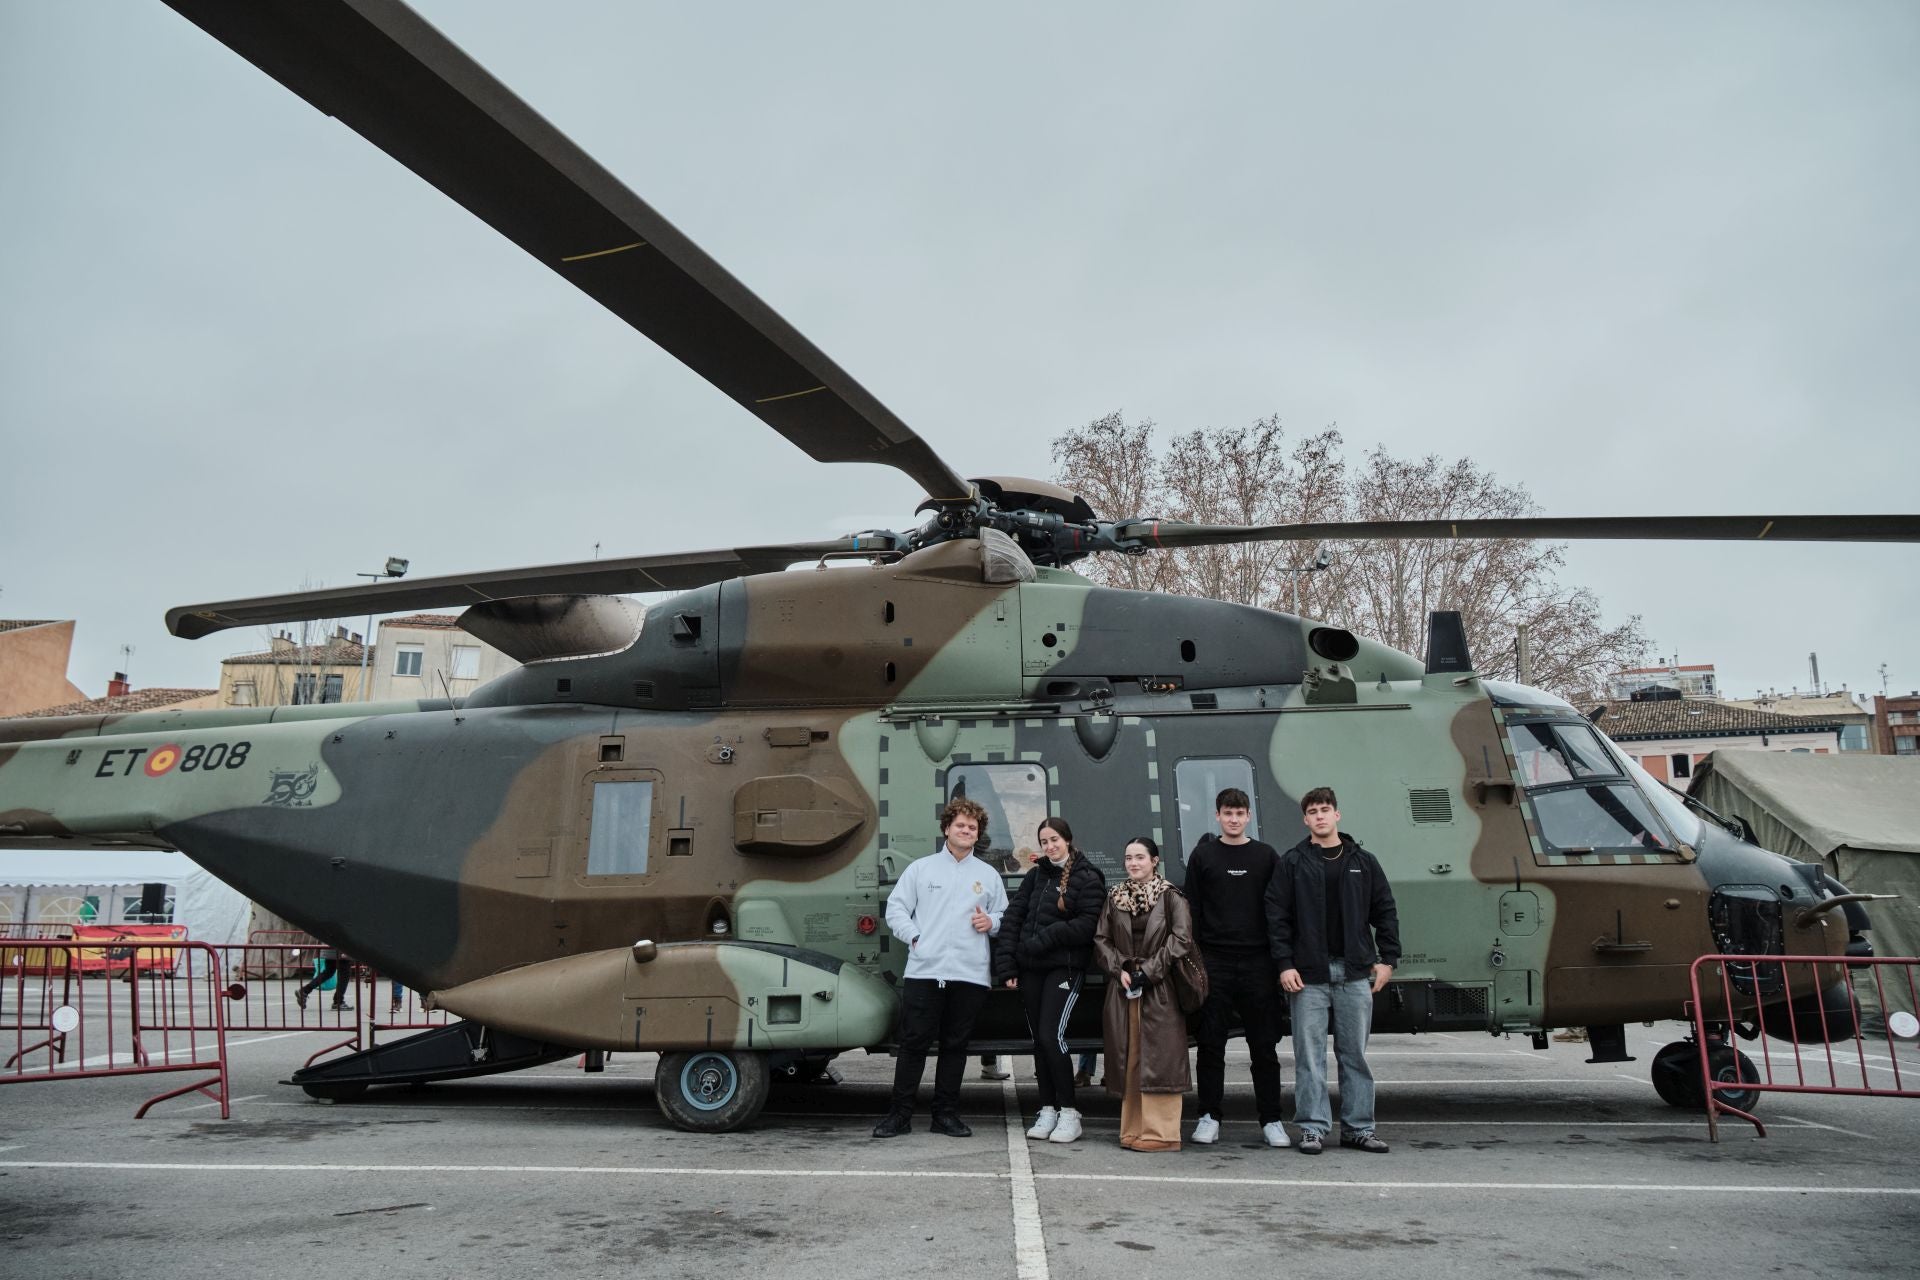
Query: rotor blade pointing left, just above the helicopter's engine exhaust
x=665 y=573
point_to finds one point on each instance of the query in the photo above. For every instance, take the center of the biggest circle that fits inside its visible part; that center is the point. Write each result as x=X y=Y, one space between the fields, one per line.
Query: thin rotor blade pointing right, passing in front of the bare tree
x=1573 y=529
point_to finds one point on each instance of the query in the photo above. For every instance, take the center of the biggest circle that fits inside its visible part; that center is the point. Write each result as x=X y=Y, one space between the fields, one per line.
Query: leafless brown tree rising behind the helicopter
x=1383 y=590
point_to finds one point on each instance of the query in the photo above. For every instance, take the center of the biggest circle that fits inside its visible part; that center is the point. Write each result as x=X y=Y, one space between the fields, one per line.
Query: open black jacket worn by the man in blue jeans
x=1297 y=913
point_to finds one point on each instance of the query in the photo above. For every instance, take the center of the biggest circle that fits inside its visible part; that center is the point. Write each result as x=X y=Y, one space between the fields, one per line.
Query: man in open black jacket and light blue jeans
x=1335 y=939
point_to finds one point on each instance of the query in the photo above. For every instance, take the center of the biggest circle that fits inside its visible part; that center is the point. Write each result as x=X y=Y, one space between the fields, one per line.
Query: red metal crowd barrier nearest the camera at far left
x=64 y=1022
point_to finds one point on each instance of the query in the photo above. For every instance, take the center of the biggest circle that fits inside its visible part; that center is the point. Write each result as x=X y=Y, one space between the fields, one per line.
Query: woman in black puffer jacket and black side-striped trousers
x=1044 y=951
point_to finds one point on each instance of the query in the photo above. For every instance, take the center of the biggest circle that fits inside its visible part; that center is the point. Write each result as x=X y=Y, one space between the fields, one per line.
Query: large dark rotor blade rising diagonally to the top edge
x=395 y=80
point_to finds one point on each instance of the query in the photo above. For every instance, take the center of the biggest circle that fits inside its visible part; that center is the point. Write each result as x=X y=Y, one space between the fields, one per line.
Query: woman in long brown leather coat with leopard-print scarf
x=1145 y=928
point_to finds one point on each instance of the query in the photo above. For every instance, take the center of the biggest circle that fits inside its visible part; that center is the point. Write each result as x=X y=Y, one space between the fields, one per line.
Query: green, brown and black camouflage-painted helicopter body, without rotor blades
x=800 y=732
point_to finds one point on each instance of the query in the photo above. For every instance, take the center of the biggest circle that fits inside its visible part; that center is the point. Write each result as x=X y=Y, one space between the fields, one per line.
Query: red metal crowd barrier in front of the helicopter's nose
x=1808 y=1030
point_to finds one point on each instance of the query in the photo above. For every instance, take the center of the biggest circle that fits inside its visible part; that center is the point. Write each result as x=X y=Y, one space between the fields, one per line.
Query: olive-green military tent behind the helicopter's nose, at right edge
x=1856 y=815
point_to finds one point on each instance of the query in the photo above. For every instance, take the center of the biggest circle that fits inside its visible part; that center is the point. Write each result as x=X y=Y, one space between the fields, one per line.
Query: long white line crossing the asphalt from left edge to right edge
x=688 y=1172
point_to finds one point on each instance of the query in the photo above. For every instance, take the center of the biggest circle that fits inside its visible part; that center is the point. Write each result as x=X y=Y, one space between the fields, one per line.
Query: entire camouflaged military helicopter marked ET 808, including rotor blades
x=675 y=828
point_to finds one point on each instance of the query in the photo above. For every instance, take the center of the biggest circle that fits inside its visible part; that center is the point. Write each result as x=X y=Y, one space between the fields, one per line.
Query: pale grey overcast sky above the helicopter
x=1641 y=258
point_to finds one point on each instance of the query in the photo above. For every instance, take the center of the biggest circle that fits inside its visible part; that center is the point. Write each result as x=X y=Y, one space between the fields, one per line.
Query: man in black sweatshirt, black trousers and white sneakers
x=1226 y=888
